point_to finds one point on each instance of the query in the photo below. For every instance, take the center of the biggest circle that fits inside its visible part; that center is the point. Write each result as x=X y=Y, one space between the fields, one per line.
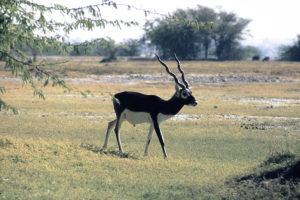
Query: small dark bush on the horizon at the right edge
x=291 y=53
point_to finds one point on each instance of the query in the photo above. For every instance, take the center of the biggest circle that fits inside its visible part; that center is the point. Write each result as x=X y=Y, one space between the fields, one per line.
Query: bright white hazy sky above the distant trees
x=272 y=21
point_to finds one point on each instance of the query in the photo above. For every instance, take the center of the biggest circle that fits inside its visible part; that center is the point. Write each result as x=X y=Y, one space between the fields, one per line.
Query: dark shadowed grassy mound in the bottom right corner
x=276 y=178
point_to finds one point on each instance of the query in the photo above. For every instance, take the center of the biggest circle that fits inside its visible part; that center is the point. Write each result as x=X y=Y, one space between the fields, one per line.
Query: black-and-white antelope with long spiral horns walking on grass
x=139 y=108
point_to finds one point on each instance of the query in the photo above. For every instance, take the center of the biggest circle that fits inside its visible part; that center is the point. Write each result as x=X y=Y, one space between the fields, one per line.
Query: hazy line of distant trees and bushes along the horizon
x=216 y=35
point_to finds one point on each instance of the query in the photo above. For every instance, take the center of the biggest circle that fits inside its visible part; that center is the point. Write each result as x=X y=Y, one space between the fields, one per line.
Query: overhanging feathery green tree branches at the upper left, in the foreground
x=32 y=24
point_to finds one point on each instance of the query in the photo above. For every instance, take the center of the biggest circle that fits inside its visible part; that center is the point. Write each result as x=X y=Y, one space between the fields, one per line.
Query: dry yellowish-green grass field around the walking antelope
x=52 y=148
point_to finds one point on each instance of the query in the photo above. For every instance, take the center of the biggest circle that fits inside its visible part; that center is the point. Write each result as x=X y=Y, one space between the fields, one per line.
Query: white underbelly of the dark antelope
x=142 y=117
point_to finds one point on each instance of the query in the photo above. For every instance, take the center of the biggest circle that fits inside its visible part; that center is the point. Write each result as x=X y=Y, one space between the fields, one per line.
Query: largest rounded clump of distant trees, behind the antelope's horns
x=222 y=29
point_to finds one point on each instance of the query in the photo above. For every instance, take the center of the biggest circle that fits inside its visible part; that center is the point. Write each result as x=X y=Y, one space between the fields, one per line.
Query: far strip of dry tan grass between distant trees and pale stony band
x=83 y=66
